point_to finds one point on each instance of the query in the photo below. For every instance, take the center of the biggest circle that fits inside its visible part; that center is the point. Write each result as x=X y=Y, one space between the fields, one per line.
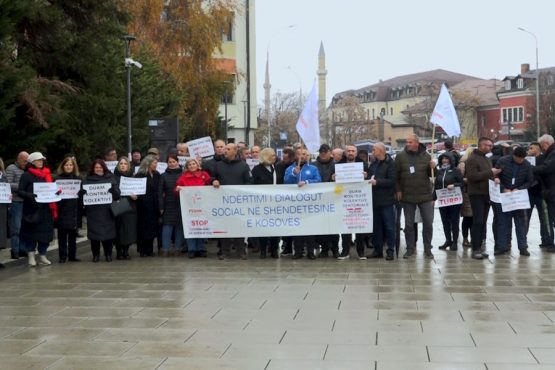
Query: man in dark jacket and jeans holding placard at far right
x=517 y=174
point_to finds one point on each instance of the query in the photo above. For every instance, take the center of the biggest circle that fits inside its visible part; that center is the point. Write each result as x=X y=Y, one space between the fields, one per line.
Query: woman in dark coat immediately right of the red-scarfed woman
x=69 y=213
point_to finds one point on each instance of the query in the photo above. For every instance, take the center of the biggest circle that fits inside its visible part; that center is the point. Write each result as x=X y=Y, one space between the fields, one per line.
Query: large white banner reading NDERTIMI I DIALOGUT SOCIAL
x=273 y=210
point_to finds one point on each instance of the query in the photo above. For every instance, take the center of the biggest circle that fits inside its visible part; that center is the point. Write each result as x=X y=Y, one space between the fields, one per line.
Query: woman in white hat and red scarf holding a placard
x=37 y=226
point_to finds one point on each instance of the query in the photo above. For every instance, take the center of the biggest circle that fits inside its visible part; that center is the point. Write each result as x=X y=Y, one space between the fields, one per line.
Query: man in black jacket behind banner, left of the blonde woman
x=231 y=170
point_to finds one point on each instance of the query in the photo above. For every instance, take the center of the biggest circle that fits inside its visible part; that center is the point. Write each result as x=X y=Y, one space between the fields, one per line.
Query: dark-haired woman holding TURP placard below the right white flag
x=448 y=176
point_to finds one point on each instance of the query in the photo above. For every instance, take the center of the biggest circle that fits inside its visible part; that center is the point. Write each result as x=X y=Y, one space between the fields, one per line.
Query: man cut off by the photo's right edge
x=547 y=173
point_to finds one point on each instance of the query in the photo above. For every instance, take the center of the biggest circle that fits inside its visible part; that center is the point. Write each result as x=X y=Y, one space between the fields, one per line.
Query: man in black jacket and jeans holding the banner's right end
x=382 y=175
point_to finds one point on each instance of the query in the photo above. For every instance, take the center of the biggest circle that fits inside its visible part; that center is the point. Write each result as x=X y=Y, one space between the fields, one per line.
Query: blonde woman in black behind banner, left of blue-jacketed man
x=264 y=173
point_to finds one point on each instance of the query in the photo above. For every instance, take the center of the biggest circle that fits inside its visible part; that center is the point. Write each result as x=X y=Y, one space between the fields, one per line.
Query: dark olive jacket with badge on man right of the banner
x=413 y=175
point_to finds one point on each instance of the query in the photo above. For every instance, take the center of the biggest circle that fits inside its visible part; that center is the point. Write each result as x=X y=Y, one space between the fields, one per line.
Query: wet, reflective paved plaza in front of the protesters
x=175 y=313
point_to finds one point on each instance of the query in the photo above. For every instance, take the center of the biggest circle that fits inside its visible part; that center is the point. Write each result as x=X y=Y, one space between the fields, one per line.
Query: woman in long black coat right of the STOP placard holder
x=148 y=209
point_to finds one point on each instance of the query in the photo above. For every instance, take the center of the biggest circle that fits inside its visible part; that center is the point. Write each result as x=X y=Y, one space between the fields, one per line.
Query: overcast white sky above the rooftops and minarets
x=366 y=40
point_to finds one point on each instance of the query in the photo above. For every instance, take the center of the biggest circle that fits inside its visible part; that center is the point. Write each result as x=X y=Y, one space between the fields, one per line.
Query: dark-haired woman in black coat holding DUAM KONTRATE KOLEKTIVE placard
x=101 y=224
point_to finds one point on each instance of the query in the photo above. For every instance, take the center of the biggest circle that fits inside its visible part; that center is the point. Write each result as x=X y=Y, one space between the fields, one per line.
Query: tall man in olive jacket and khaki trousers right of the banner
x=413 y=189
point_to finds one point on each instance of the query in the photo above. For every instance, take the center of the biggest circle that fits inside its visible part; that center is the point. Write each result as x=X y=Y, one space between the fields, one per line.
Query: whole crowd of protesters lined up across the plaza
x=406 y=183
